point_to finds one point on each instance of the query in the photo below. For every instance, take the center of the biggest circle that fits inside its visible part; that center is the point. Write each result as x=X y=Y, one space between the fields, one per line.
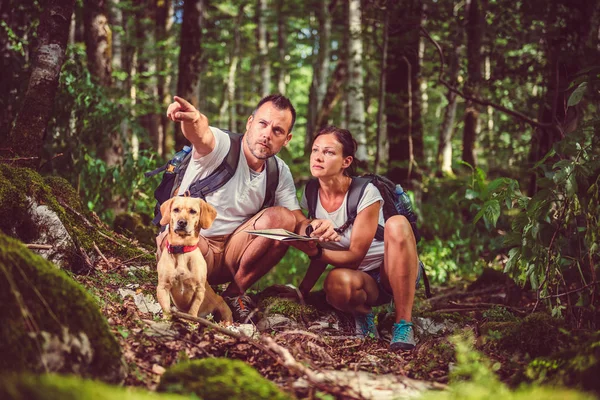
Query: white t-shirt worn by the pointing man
x=242 y=197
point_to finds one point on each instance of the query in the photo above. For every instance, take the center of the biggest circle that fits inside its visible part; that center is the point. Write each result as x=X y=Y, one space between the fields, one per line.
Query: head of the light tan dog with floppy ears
x=187 y=215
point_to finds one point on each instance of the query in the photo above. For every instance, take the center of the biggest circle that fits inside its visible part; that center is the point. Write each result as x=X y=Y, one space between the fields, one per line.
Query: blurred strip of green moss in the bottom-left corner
x=56 y=387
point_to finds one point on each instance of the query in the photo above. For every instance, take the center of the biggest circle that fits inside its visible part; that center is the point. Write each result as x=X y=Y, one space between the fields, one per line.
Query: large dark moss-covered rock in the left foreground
x=49 y=322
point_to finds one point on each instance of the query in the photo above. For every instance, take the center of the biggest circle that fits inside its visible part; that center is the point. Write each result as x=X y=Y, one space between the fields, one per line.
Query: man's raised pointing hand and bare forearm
x=194 y=125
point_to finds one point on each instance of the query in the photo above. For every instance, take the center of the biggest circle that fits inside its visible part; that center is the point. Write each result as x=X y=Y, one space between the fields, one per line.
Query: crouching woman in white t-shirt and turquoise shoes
x=368 y=272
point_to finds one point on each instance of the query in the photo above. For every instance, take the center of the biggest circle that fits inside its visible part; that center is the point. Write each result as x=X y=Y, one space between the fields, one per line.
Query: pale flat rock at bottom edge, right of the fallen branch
x=373 y=386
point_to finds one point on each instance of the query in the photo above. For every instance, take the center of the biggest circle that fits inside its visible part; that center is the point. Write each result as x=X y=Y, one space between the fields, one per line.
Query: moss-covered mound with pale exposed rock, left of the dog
x=47 y=210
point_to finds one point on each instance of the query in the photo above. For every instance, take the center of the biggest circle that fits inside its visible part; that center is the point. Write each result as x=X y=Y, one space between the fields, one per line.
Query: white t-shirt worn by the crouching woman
x=374 y=257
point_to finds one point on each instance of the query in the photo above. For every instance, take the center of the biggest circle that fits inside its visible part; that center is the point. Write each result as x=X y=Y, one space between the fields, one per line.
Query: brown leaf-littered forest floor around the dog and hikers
x=152 y=344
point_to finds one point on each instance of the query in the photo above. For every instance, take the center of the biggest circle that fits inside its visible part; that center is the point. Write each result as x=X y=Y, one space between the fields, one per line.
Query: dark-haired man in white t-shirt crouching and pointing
x=231 y=254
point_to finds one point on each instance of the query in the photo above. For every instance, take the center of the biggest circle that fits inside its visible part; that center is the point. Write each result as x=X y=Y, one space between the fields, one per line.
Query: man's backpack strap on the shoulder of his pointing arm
x=223 y=173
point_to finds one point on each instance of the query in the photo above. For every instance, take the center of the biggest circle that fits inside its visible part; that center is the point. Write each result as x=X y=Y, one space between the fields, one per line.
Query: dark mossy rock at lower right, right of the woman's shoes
x=537 y=335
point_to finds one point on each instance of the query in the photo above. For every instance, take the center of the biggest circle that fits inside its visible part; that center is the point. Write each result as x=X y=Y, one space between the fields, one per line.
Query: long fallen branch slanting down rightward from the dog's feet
x=278 y=353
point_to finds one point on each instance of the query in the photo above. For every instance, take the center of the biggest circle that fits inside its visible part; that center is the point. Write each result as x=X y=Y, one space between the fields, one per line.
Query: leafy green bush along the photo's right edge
x=554 y=234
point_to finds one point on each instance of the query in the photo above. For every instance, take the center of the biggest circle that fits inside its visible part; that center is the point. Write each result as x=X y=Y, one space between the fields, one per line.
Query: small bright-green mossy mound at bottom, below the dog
x=217 y=379
